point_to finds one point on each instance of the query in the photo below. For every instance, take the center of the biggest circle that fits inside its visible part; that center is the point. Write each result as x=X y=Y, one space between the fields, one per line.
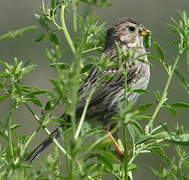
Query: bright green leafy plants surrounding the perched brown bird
x=86 y=152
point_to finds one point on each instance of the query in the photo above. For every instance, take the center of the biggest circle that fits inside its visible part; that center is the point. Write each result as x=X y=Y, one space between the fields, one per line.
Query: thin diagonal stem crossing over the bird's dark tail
x=48 y=133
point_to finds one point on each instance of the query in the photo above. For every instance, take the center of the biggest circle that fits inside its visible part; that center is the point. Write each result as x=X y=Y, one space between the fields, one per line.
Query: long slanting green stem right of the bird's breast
x=164 y=95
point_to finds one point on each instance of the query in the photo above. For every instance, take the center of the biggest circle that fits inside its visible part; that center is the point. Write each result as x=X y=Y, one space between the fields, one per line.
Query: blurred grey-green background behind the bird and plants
x=151 y=13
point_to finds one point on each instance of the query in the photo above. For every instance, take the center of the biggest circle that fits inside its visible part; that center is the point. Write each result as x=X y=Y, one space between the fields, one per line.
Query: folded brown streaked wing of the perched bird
x=105 y=88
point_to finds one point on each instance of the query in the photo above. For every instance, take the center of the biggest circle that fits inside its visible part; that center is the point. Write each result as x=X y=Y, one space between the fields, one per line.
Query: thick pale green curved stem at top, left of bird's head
x=64 y=29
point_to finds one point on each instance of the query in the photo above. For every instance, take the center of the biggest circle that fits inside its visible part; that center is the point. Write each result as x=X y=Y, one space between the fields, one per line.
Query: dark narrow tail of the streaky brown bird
x=55 y=134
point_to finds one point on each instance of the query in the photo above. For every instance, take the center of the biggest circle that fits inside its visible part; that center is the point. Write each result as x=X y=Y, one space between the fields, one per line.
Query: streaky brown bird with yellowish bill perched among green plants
x=128 y=34
